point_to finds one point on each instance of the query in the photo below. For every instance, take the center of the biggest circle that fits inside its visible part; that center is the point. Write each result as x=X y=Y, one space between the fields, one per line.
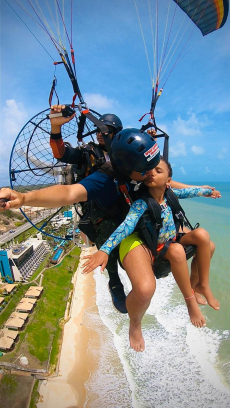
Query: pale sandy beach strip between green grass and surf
x=66 y=389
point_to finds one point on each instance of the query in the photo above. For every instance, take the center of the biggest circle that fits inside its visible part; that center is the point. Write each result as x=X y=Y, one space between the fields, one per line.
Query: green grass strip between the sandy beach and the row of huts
x=41 y=336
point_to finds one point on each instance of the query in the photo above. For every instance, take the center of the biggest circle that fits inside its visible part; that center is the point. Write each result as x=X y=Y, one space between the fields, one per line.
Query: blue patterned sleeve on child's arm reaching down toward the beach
x=127 y=227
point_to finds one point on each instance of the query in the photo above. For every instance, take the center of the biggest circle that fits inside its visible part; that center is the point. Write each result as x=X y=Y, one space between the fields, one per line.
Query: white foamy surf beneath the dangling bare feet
x=178 y=367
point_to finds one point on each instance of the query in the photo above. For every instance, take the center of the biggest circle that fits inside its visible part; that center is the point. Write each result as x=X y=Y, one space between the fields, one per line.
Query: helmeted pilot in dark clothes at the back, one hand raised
x=101 y=208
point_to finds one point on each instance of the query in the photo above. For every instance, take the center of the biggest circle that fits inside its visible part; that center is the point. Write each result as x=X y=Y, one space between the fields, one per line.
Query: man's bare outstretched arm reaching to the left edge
x=50 y=197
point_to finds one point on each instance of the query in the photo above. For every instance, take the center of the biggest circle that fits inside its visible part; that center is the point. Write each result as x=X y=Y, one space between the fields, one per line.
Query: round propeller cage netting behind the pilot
x=32 y=165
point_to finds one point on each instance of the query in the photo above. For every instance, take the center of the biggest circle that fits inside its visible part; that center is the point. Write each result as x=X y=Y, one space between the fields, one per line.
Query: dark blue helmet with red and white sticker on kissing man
x=133 y=150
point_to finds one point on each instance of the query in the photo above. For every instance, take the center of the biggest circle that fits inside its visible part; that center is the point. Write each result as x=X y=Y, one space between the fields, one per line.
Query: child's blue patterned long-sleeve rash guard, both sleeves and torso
x=138 y=208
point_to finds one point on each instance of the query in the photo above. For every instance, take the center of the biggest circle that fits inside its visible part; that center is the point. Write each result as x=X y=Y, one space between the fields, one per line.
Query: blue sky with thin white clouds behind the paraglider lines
x=113 y=75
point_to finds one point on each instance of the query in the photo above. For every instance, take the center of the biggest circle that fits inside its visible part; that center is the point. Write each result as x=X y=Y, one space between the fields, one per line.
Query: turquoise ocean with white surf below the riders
x=182 y=366
